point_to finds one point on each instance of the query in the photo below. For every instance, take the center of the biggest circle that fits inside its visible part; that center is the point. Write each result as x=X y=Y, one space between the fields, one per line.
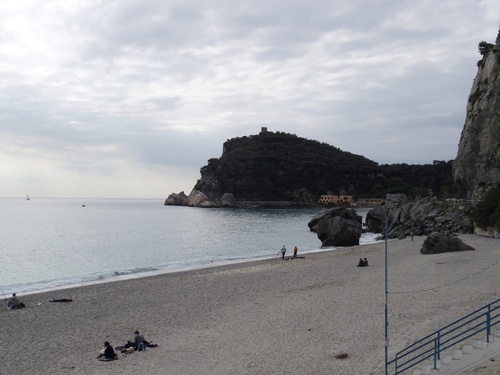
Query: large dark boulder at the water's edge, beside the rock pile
x=338 y=226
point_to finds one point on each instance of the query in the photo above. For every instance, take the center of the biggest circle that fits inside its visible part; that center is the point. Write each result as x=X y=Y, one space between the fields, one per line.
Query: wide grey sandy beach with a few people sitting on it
x=267 y=317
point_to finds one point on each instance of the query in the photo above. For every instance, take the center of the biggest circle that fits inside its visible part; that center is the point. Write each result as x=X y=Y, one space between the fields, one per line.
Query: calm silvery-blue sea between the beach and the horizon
x=51 y=243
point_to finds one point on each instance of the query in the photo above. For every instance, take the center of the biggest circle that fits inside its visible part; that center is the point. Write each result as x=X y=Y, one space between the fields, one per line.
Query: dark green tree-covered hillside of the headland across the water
x=275 y=166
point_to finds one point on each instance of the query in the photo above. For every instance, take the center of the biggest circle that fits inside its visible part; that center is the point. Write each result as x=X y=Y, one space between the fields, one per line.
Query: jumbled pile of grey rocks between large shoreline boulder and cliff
x=421 y=217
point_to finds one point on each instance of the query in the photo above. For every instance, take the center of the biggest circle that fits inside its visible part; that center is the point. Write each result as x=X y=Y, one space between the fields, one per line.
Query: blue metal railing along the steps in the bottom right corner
x=479 y=322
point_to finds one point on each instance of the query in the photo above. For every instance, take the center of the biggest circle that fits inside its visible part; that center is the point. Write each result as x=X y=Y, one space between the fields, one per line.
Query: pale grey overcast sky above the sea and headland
x=129 y=98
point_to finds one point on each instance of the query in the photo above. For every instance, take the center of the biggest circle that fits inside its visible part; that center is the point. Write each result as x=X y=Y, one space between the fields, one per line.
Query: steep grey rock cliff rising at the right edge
x=477 y=165
